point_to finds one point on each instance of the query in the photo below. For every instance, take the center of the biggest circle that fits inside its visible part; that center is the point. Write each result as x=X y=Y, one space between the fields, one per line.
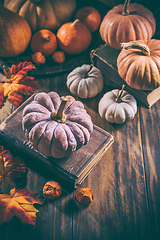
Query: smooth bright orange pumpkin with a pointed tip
x=74 y=37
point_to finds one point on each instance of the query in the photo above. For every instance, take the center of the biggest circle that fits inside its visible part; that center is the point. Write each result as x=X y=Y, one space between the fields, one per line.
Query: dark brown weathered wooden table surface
x=125 y=183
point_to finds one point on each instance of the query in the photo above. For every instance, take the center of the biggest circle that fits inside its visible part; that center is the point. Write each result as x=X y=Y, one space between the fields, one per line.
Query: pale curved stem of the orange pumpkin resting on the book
x=136 y=45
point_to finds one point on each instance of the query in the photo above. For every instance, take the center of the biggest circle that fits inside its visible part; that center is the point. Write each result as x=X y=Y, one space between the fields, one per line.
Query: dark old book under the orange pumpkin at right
x=105 y=58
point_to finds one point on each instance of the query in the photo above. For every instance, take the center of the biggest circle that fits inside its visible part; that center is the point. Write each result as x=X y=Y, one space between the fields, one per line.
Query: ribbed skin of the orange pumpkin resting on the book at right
x=140 y=71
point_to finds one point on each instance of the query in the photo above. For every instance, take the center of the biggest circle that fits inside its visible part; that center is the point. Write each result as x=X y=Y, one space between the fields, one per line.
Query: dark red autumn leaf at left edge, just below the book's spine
x=10 y=167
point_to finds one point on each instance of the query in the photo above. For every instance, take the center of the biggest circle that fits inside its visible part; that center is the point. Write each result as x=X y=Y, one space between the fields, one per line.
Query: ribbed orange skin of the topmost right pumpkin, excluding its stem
x=116 y=28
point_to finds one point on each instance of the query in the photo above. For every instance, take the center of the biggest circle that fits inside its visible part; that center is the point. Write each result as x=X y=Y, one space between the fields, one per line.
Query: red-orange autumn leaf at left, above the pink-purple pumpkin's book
x=18 y=82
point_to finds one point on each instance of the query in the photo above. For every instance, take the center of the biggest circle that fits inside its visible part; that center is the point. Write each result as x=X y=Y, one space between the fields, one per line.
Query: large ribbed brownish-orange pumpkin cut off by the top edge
x=42 y=14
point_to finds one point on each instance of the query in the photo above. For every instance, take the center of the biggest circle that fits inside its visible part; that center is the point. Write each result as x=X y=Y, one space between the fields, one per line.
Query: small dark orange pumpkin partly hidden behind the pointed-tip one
x=90 y=17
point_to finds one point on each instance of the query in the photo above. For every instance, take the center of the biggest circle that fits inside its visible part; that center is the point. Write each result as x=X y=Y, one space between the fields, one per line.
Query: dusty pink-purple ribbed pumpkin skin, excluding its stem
x=50 y=137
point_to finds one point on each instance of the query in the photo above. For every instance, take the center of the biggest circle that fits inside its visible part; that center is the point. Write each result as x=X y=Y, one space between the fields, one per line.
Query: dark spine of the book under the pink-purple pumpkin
x=35 y=159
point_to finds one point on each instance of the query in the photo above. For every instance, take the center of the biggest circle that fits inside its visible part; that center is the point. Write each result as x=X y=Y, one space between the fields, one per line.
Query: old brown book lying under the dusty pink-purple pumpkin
x=69 y=170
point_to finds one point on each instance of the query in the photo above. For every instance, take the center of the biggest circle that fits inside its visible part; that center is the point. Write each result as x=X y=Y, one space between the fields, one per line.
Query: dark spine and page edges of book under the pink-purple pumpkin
x=25 y=148
